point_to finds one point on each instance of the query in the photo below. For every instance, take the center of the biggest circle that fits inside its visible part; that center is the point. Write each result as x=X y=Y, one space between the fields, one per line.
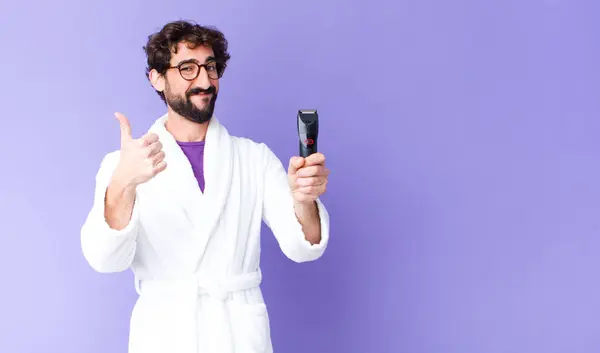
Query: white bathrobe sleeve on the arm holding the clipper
x=279 y=215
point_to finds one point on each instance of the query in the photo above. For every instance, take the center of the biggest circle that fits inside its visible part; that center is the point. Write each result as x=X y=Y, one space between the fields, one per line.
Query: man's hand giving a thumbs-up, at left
x=140 y=159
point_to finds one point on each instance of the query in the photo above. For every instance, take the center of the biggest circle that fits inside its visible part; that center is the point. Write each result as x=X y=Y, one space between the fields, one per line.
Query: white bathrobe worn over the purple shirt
x=196 y=256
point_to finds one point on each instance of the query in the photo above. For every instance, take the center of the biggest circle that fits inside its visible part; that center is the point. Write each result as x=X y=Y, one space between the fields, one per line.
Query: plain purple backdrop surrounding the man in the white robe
x=463 y=139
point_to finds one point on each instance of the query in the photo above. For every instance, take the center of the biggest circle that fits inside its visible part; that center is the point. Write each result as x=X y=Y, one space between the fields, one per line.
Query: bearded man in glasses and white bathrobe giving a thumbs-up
x=182 y=207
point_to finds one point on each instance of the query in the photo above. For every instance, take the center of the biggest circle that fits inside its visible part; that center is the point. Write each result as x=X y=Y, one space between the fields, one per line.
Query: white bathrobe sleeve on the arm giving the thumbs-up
x=105 y=249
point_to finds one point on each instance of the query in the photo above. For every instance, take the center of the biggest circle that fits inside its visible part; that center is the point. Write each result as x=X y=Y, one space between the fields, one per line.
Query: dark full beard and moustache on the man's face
x=187 y=109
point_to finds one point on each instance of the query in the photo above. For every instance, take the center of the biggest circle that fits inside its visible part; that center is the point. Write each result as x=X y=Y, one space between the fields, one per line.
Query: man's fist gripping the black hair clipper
x=308 y=177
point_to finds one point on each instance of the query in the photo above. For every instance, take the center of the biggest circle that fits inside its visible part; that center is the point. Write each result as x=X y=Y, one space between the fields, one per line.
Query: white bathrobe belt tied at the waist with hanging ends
x=186 y=292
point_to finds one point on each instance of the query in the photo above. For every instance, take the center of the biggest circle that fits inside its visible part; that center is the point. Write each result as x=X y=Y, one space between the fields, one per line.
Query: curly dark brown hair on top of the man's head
x=160 y=45
